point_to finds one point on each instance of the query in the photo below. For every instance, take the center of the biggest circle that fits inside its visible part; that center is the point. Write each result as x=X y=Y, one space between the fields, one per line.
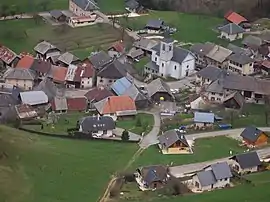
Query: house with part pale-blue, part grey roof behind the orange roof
x=124 y=86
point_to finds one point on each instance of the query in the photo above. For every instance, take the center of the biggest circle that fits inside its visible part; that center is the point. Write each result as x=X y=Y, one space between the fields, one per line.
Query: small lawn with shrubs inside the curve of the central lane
x=131 y=125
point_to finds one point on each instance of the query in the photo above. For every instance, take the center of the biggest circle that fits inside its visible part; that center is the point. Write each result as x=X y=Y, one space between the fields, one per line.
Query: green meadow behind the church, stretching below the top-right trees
x=191 y=28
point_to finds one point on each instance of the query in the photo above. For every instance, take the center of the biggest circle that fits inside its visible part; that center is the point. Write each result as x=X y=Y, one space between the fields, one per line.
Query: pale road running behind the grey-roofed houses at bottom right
x=179 y=171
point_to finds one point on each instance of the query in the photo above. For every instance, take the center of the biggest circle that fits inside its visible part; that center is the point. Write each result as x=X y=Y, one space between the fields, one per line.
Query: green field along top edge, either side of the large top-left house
x=27 y=6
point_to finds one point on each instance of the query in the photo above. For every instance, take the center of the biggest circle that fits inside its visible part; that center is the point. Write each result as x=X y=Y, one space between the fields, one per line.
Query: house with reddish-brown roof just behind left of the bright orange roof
x=97 y=94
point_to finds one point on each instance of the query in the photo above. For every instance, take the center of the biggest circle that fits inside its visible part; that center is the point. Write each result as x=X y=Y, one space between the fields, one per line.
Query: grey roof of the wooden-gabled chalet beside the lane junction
x=170 y=137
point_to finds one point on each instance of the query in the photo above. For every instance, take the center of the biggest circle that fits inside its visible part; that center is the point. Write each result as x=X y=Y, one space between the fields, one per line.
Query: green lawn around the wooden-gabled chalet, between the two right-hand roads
x=205 y=149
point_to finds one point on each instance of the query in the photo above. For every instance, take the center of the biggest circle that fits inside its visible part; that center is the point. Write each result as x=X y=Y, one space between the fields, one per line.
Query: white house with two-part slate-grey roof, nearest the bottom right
x=212 y=177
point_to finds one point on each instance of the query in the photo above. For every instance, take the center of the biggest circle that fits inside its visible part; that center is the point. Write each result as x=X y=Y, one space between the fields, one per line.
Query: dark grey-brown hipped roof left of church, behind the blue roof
x=113 y=70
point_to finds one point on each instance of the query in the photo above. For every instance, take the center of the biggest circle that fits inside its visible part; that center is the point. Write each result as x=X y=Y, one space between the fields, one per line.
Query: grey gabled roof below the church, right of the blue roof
x=158 y=85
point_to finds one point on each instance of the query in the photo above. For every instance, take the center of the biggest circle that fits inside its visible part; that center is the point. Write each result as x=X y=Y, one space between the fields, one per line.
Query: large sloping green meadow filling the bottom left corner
x=36 y=168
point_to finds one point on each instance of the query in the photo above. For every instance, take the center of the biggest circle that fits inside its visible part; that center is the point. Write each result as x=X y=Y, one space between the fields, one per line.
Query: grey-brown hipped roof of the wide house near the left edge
x=20 y=74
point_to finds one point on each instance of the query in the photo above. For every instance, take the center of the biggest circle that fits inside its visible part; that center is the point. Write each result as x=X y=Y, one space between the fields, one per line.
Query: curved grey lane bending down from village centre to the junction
x=151 y=138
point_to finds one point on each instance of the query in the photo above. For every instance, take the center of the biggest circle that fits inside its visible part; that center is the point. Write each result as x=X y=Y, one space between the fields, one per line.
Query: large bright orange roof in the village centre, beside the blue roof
x=115 y=104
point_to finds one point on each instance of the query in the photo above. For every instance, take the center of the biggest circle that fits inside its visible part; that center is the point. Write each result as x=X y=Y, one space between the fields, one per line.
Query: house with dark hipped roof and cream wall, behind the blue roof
x=110 y=73
